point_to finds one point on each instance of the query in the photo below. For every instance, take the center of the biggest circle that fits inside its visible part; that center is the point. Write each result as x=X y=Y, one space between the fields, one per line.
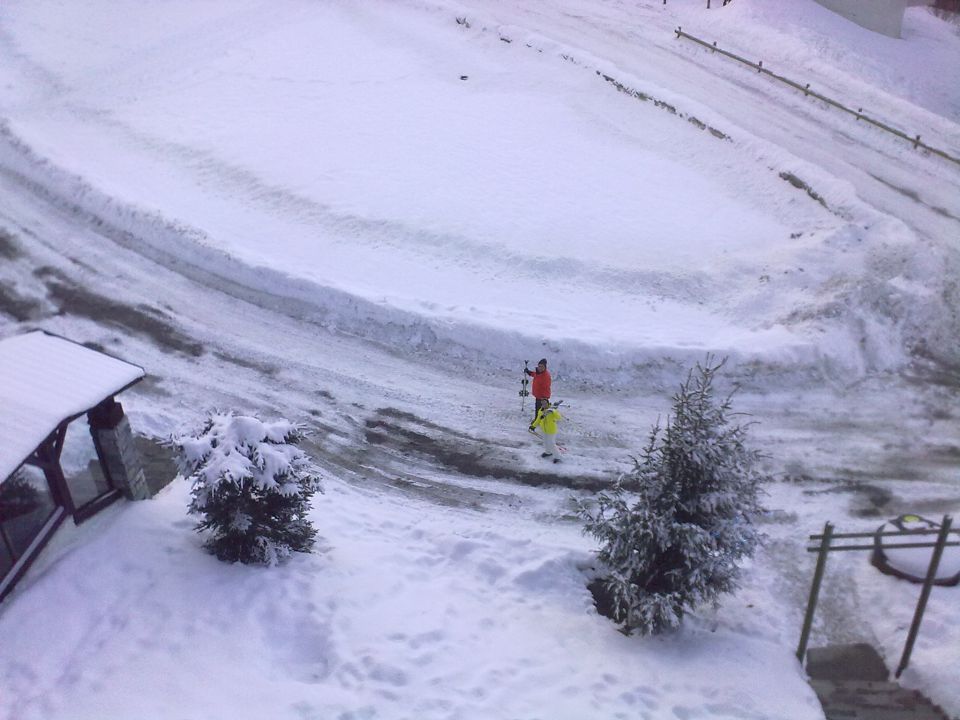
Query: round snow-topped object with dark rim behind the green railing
x=912 y=563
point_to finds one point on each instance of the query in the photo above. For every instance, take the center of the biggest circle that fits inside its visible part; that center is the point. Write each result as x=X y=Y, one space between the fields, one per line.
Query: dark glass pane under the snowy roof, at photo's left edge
x=25 y=506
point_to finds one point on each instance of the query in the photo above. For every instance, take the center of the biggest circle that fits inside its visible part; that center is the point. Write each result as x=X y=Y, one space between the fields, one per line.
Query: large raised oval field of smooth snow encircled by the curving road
x=531 y=204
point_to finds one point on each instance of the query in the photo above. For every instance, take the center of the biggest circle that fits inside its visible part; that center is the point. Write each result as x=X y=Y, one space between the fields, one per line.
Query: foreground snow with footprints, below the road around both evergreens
x=405 y=613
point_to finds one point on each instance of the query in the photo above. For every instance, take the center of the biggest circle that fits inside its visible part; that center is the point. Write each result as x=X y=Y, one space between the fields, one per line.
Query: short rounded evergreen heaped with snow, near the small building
x=252 y=485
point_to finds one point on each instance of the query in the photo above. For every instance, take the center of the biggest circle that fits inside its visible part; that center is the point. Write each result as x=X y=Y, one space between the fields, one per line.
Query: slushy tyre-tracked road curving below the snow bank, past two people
x=75 y=275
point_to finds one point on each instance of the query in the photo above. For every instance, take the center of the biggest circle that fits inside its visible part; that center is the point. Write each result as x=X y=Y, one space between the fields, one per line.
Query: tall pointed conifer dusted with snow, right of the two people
x=675 y=543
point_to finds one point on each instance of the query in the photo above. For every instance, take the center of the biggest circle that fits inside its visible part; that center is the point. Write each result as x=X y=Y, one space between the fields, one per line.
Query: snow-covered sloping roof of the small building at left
x=45 y=380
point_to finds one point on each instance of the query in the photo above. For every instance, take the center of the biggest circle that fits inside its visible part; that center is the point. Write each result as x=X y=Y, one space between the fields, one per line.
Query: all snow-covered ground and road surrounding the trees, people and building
x=365 y=216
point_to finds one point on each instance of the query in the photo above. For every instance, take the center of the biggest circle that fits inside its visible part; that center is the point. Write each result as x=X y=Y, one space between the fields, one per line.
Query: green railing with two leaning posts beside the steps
x=826 y=546
